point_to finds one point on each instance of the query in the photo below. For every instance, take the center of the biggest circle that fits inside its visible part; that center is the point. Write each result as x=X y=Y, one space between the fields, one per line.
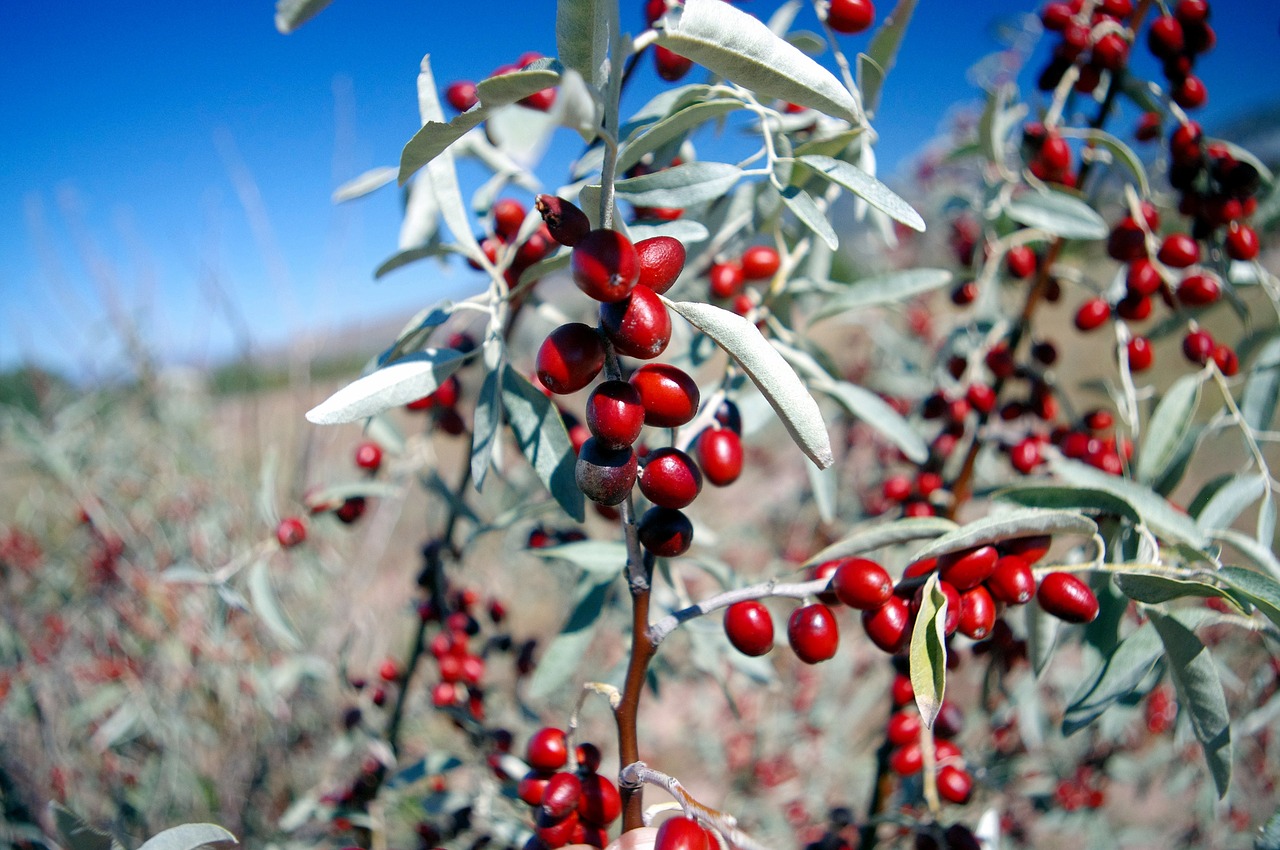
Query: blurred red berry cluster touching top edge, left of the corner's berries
x=1095 y=44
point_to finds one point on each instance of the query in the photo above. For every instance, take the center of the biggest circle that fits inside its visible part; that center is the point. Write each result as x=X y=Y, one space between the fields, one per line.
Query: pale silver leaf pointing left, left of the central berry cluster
x=399 y=383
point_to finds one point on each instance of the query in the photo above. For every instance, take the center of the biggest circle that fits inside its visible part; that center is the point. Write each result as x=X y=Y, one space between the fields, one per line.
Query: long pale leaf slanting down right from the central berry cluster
x=776 y=381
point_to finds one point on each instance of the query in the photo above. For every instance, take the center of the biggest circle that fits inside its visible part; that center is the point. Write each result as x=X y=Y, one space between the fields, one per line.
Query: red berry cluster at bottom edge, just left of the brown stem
x=573 y=806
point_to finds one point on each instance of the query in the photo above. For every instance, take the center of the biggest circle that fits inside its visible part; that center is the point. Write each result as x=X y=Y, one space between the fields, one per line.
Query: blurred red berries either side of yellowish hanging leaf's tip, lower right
x=903 y=732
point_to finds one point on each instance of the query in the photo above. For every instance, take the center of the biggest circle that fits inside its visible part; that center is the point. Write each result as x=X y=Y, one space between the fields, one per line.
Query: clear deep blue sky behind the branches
x=127 y=125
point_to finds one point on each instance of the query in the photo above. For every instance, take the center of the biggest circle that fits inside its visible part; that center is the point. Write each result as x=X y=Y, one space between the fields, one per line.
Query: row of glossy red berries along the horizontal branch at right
x=976 y=582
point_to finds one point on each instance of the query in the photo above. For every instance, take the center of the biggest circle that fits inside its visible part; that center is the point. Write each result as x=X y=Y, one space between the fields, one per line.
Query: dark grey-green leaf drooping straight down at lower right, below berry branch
x=1200 y=692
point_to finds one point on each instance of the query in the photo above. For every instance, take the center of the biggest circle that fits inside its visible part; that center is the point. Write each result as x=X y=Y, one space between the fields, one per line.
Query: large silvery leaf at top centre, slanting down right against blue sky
x=740 y=48
